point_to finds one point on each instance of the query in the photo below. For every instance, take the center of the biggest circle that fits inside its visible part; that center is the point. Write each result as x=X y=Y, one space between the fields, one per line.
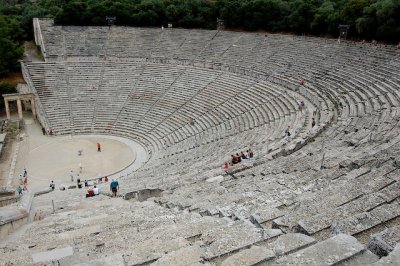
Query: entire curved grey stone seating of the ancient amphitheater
x=327 y=195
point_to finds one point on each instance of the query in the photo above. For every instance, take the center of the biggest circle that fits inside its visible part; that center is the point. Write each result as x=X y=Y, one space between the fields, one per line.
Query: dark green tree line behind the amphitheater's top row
x=368 y=19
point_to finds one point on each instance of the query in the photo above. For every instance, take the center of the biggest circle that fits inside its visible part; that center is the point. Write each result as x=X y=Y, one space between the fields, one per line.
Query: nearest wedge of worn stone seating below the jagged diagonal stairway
x=147 y=233
